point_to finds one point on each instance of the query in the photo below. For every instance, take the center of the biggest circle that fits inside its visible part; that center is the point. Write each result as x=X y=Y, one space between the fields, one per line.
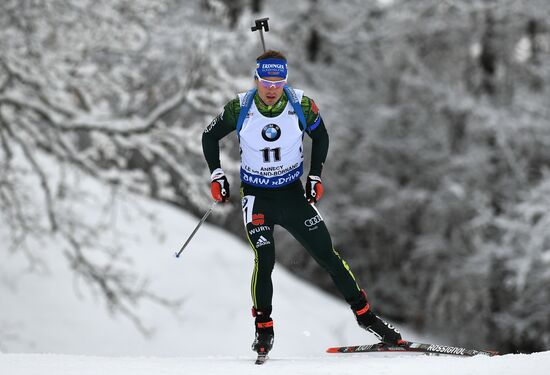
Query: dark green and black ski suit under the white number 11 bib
x=264 y=207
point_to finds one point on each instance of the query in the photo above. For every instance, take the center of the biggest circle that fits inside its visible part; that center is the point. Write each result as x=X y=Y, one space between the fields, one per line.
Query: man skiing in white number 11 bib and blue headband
x=270 y=122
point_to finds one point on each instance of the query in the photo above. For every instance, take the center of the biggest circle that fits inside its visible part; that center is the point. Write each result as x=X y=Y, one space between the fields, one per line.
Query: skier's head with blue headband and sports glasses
x=270 y=76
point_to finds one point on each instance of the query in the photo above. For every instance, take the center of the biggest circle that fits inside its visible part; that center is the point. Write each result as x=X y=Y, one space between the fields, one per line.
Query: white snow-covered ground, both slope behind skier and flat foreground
x=52 y=327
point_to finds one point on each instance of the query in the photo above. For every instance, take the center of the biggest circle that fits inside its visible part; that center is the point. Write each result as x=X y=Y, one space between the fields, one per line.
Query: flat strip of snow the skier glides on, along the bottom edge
x=46 y=364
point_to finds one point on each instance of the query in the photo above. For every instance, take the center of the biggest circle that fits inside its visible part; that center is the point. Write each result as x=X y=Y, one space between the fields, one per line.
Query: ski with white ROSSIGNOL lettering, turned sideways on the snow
x=412 y=347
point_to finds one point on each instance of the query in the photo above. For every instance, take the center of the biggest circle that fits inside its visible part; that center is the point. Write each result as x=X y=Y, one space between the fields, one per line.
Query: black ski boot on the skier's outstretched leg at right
x=368 y=320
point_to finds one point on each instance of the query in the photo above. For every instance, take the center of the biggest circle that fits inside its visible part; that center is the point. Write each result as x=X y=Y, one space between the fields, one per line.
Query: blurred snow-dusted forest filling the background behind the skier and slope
x=437 y=181
